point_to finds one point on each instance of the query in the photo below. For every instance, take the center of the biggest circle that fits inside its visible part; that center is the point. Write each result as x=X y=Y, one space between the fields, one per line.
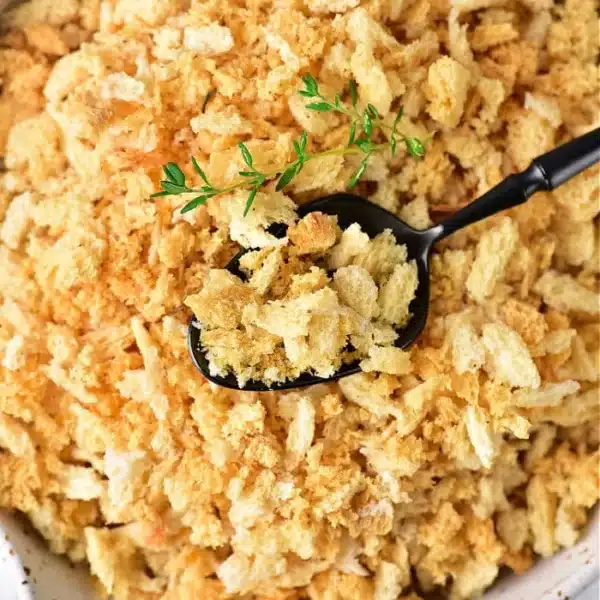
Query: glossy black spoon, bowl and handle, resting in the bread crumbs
x=545 y=173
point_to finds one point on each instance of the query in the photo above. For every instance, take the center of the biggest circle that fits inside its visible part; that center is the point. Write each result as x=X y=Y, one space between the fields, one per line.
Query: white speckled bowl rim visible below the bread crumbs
x=565 y=575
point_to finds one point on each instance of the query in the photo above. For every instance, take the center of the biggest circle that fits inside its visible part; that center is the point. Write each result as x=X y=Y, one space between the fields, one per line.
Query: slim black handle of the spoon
x=545 y=173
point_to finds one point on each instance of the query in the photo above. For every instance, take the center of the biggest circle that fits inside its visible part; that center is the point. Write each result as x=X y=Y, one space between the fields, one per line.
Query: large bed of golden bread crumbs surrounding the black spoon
x=483 y=455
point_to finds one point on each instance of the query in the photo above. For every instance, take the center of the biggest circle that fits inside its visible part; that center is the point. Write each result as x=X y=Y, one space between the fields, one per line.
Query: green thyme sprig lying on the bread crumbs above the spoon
x=364 y=123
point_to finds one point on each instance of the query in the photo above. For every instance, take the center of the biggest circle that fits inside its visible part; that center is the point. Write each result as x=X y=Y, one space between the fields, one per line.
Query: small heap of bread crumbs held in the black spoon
x=315 y=300
